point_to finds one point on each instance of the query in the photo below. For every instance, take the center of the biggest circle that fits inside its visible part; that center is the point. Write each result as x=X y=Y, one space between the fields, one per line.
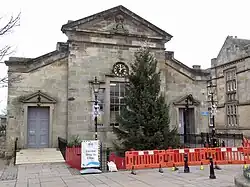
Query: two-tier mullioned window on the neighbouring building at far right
x=231 y=93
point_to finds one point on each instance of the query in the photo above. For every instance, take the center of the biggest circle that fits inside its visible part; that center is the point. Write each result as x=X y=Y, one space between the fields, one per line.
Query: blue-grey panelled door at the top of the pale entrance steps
x=38 y=127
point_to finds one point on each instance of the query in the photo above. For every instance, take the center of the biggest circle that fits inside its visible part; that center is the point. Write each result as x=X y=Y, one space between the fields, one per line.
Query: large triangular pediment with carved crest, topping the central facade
x=117 y=20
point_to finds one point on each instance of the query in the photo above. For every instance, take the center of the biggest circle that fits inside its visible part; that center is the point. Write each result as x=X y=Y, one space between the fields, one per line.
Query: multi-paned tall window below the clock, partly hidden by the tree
x=117 y=93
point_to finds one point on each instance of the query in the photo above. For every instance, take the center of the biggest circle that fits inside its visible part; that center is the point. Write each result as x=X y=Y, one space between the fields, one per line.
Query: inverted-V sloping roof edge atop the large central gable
x=120 y=8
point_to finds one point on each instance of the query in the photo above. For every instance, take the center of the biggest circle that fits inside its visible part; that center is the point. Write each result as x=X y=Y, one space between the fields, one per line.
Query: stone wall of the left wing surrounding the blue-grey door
x=50 y=79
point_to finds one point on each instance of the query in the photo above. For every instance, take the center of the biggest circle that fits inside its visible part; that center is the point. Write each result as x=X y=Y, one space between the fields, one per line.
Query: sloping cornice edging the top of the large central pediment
x=122 y=8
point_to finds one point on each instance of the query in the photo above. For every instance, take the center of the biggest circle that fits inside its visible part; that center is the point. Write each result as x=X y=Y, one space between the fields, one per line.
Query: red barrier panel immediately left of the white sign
x=73 y=157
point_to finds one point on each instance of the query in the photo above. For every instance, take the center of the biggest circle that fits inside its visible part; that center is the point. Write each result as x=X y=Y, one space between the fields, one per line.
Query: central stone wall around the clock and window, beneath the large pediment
x=85 y=62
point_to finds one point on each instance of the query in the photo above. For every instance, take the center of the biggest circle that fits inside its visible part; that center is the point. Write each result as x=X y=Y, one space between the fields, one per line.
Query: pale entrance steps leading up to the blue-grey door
x=37 y=156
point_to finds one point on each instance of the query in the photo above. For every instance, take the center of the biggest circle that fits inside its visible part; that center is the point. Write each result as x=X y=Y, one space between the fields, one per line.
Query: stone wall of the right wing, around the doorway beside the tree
x=181 y=82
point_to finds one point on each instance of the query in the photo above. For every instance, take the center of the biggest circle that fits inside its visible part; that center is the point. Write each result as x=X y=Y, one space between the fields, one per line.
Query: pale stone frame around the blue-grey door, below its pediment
x=24 y=127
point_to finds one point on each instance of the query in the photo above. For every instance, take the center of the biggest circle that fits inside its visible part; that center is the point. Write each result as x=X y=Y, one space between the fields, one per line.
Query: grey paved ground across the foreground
x=58 y=174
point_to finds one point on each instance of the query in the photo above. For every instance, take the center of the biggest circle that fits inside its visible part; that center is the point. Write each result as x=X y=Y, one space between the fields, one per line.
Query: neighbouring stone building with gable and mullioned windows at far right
x=230 y=72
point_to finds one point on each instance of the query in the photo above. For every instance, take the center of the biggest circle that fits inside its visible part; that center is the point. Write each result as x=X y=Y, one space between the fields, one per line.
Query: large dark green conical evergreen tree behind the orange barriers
x=144 y=122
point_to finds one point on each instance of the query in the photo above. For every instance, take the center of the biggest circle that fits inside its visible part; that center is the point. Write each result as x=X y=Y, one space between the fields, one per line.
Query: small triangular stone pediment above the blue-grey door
x=38 y=97
